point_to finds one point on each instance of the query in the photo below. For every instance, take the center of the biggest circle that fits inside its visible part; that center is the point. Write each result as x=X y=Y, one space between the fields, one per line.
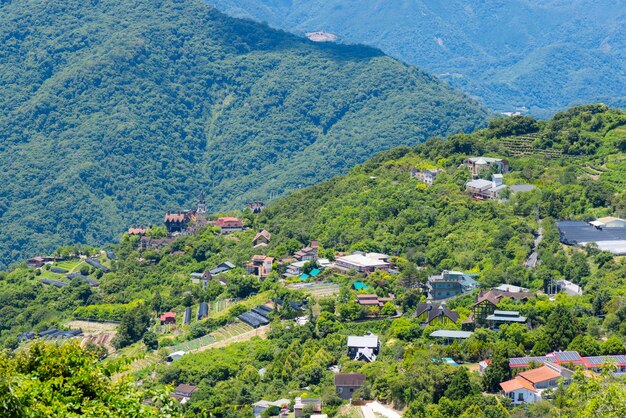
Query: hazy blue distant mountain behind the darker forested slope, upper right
x=540 y=55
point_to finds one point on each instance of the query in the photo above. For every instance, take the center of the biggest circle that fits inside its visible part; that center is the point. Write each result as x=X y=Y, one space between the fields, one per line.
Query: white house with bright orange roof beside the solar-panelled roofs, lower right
x=527 y=386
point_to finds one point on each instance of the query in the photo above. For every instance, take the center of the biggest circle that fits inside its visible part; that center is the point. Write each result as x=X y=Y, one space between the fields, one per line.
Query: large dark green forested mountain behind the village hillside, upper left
x=112 y=112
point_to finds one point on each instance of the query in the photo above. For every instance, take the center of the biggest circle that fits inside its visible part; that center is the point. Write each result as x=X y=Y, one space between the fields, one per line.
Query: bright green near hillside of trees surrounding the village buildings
x=576 y=160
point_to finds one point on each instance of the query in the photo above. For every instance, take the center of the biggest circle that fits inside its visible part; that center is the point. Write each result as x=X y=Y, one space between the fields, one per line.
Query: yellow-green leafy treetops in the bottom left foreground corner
x=81 y=386
